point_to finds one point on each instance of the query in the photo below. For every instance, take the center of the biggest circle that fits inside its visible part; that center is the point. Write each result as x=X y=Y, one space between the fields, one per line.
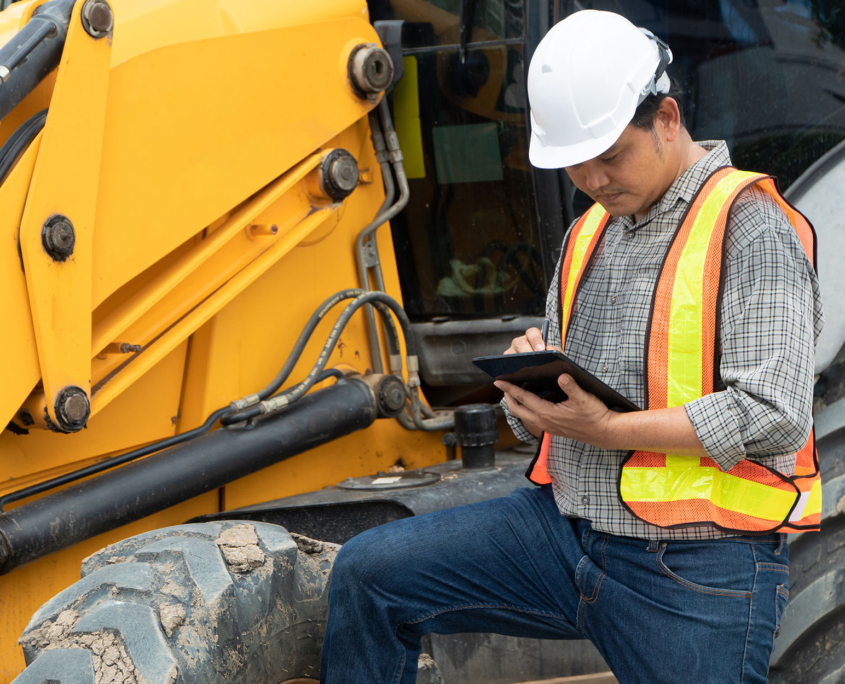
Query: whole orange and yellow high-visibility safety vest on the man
x=682 y=364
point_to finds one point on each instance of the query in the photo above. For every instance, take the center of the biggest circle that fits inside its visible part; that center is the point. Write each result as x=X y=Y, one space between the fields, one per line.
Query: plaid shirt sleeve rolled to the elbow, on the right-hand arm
x=771 y=320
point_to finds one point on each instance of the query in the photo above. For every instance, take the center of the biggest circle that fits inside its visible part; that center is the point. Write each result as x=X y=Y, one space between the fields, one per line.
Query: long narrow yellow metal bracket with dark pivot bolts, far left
x=58 y=221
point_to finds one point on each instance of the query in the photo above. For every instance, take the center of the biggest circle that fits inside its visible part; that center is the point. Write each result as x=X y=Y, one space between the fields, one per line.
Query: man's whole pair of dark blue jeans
x=657 y=611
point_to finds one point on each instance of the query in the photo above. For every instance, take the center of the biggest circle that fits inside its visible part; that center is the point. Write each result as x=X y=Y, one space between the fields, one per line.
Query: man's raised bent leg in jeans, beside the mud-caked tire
x=504 y=566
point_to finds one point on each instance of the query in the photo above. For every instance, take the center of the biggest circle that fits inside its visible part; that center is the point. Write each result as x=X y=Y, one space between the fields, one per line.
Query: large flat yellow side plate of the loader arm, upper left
x=225 y=117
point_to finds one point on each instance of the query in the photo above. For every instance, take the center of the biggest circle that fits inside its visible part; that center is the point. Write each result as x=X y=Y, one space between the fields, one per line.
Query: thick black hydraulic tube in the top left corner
x=33 y=52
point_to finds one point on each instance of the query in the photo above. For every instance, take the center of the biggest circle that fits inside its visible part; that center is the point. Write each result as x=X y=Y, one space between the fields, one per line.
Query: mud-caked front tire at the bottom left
x=192 y=604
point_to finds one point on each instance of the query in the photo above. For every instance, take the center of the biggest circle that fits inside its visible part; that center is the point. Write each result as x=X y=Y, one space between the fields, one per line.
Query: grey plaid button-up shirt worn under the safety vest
x=771 y=319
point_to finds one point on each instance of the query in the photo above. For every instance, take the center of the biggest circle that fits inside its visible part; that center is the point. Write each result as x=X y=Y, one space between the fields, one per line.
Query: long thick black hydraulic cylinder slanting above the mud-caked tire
x=174 y=475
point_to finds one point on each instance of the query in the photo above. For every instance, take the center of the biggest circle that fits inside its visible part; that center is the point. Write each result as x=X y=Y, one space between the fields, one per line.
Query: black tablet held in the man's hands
x=538 y=373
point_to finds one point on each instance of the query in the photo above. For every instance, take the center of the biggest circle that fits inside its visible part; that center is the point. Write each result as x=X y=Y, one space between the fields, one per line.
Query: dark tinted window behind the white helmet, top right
x=768 y=76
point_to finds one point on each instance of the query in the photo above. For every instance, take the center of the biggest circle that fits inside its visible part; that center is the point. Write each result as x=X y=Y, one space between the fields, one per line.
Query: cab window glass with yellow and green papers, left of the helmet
x=468 y=242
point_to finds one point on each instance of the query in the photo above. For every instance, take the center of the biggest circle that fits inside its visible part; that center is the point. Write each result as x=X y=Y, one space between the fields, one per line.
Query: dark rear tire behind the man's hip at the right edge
x=810 y=648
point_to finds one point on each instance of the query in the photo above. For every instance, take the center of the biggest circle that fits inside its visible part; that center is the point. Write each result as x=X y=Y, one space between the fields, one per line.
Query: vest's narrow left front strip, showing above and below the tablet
x=579 y=249
